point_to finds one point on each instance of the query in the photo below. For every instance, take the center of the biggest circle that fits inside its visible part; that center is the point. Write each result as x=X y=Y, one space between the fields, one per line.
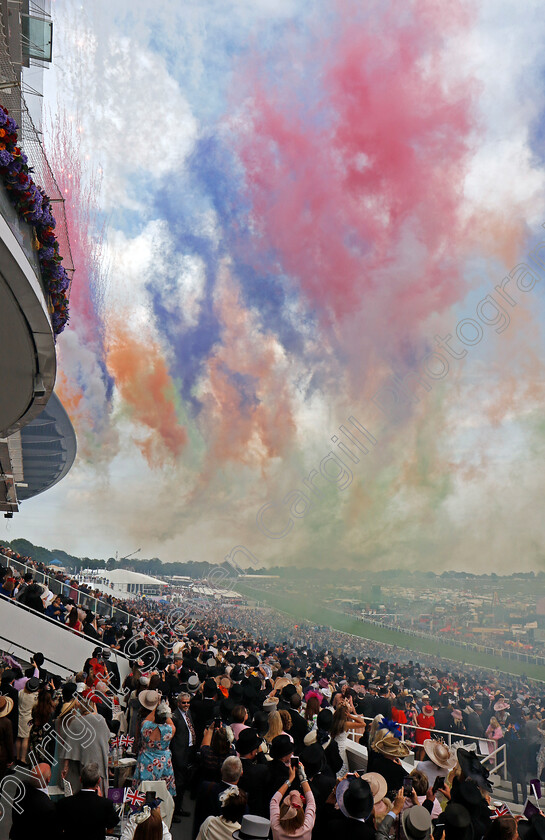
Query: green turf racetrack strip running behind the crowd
x=299 y=608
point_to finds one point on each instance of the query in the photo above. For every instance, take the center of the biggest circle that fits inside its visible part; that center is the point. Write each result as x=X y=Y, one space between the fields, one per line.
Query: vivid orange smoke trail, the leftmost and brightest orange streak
x=145 y=385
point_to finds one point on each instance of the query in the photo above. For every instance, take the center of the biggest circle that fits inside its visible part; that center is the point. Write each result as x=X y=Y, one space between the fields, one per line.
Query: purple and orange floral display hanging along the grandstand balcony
x=33 y=205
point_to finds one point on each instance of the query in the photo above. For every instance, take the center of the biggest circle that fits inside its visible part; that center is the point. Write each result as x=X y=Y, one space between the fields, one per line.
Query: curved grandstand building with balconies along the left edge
x=37 y=441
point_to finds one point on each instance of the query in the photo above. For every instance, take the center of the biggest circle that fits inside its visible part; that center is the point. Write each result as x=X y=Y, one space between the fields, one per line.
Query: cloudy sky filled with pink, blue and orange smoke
x=306 y=318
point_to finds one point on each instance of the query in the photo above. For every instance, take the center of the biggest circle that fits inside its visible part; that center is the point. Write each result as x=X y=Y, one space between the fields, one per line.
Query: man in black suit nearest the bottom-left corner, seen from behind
x=38 y=817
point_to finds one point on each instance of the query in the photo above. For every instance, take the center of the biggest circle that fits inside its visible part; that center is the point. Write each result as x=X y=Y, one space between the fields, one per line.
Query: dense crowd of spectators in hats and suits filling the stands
x=251 y=717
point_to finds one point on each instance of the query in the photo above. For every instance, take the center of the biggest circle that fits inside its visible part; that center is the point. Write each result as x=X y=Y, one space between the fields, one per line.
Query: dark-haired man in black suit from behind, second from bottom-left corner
x=86 y=815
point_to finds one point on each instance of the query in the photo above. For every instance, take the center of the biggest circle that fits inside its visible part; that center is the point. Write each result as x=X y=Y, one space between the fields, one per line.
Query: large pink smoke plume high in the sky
x=365 y=178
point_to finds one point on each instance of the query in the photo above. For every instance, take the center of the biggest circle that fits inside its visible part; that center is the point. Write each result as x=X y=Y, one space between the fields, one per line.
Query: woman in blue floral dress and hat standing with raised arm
x=154 y=761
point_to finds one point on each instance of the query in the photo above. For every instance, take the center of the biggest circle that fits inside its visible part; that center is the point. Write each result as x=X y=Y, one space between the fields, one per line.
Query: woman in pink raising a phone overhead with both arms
x=290 y=816
